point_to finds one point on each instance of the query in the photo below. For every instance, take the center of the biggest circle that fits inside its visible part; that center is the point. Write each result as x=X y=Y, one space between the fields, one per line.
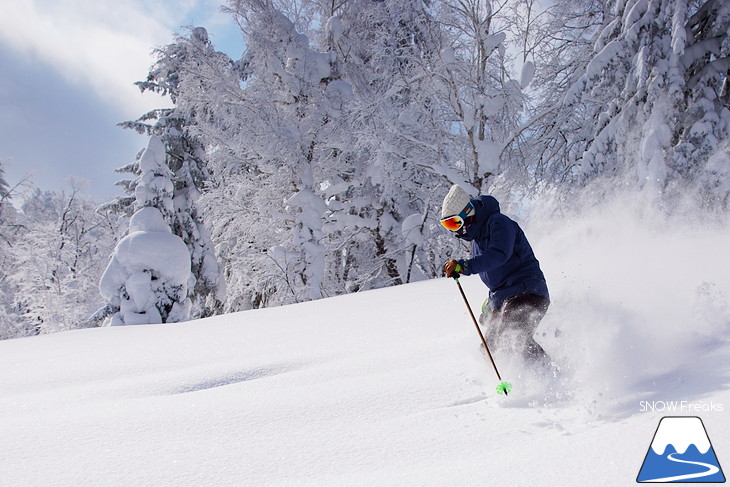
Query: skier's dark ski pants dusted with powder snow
x=512 y=326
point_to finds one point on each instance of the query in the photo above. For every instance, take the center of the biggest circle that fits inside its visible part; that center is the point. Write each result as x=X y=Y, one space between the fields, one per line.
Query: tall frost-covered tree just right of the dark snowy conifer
x=275 y=140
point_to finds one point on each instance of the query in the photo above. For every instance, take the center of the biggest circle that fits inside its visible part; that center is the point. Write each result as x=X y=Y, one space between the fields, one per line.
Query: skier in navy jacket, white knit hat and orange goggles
x=502 y=256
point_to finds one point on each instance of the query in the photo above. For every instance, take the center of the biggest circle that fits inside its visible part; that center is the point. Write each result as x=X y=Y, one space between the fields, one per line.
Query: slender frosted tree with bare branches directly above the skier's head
x=475 y=83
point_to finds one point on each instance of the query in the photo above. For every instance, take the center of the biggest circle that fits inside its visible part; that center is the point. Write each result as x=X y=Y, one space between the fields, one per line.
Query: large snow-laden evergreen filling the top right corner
x=652 y=96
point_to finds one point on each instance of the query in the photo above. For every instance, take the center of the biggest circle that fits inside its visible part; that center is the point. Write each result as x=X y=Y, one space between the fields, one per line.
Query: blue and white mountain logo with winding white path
x=681 y=452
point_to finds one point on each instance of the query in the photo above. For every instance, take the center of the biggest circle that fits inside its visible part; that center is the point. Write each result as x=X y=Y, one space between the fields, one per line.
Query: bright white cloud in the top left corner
x=103 y=44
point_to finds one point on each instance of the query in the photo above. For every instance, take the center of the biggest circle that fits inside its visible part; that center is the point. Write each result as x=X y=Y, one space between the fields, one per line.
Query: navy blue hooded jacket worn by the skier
x=501 y=255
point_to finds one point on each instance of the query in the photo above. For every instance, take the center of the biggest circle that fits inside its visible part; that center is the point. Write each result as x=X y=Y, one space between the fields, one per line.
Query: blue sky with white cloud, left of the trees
x=67 y=78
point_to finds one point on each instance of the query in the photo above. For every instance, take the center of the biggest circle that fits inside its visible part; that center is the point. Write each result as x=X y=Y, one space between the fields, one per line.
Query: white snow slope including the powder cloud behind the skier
x=389 y=387
